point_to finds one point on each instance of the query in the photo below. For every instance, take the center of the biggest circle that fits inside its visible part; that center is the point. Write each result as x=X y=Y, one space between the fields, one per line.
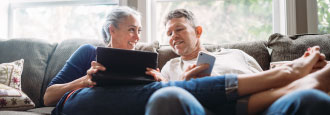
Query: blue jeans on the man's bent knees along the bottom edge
x=176 y=101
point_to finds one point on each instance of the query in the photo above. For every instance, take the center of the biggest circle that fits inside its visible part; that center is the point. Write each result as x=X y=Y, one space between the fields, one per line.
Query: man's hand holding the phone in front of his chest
x=194 y=71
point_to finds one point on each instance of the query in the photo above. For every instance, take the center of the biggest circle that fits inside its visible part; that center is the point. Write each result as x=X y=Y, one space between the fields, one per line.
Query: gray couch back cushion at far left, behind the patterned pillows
x=36 y=54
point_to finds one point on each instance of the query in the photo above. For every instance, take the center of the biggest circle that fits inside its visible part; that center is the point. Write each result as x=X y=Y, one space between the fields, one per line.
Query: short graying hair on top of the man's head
x=179 y=13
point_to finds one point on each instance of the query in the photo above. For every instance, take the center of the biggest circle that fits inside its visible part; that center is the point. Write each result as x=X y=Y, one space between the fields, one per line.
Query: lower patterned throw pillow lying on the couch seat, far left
x=14 y=99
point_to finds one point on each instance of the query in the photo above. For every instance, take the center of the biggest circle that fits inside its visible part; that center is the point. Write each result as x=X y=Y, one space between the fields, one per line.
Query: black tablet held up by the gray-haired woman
x=124 y=66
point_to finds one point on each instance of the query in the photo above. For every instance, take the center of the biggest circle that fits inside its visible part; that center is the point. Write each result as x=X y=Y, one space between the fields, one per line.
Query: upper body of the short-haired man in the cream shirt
x=184 y=37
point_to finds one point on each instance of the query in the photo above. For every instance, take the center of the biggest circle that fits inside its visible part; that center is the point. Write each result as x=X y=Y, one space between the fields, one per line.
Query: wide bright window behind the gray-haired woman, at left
x=56 y=20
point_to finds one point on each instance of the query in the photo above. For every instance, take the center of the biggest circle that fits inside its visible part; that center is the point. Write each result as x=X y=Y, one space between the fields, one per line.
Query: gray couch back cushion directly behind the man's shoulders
x=256 y=49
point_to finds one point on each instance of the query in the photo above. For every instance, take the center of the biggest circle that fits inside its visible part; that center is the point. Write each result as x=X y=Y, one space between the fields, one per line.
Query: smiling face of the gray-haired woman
x=127 y=34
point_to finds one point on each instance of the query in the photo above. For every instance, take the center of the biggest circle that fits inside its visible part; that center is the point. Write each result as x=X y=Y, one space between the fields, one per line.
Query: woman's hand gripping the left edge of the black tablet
x=86 y=80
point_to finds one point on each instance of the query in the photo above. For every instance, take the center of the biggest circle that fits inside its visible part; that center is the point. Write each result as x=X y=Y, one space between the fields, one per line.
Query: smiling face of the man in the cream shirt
x=182 y=36
